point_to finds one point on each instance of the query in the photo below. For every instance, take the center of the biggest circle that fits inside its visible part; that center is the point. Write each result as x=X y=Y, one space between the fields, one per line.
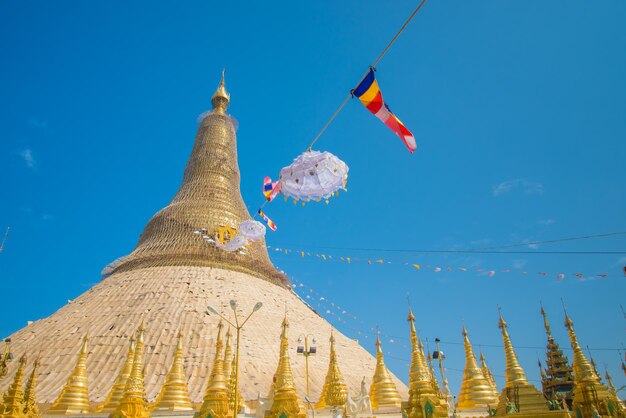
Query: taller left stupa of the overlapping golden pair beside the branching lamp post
x=216 y=398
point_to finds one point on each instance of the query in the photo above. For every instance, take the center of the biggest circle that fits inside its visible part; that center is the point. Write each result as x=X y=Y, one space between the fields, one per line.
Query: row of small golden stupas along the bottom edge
x=478 y=397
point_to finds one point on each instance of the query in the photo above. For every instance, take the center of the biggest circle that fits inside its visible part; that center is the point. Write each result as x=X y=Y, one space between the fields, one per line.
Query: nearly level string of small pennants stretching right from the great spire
x=434 y=268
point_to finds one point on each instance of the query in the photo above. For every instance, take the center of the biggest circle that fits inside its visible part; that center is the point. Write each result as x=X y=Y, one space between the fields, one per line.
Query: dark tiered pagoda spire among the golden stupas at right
x=557 y=379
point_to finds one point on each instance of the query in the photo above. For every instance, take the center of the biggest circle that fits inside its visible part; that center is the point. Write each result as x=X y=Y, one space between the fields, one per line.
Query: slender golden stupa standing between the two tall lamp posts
x=286 y=401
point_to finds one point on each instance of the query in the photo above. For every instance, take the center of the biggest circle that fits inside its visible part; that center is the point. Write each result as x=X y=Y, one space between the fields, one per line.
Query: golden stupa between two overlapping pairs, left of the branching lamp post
x=174 y=395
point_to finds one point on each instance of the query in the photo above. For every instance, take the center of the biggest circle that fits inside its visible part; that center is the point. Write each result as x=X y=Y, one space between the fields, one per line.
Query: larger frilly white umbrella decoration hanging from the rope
x=313 y=175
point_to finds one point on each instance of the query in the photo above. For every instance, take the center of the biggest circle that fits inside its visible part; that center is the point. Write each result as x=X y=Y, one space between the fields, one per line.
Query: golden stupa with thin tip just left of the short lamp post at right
x=424 y=401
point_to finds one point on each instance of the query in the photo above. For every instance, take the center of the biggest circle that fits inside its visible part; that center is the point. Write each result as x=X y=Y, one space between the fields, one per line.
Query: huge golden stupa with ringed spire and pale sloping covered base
x=166 y=282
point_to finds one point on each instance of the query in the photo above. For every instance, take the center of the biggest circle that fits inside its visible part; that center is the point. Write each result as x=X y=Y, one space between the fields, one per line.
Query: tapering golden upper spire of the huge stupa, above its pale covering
x=208 y=200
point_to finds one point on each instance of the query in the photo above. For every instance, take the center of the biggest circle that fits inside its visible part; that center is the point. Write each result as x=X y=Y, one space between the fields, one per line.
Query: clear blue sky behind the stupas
x=517 y=108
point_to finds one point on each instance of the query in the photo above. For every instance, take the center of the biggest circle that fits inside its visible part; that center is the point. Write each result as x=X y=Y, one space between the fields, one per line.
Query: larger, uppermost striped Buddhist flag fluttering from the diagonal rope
x=370 y=95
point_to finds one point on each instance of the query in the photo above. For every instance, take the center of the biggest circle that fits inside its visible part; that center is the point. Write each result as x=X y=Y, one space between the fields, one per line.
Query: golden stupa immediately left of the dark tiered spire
x=519 y=396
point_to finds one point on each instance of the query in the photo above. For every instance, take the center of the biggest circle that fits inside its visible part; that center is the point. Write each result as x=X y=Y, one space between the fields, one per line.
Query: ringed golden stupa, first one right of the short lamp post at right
x=477 y=394
